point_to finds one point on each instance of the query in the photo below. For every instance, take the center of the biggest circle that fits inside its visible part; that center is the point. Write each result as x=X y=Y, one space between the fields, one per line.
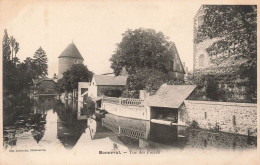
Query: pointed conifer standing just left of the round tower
x=40 y=60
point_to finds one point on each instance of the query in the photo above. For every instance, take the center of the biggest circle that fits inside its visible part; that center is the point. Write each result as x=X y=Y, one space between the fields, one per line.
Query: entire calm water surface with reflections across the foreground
x=48 y=122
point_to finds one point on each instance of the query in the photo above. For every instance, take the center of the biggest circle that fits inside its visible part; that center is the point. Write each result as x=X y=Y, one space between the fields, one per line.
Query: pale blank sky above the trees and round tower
x=96 y=27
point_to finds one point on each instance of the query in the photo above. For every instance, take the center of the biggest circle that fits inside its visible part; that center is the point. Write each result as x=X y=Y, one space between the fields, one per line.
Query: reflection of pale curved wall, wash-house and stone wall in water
x=150 y=135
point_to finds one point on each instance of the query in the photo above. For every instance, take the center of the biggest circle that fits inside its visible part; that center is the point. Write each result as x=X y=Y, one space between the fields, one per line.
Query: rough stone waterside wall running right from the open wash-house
x=239 y=118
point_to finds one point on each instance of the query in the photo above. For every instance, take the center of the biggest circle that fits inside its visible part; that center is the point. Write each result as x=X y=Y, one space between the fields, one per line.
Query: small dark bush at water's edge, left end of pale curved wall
x=88 y=106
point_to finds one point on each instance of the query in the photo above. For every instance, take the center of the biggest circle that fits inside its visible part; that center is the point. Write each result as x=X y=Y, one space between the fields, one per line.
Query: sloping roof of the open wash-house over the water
x=171 y=96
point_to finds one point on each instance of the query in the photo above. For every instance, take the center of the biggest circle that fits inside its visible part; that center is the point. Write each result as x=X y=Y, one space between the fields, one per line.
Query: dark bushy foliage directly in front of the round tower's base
x=70 y=79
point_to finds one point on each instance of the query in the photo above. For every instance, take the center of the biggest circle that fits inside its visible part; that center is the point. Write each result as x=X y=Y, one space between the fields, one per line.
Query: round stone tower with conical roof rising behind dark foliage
x=67 y=58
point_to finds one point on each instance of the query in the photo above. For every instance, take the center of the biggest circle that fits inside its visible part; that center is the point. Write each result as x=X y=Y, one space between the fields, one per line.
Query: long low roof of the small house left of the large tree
x=110 y=80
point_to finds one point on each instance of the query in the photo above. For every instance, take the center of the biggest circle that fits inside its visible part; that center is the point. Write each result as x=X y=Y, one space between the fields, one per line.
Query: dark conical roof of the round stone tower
x=71 y=51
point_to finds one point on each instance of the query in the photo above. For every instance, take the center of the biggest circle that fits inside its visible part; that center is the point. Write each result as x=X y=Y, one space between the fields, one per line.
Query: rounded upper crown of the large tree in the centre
x=140 y=48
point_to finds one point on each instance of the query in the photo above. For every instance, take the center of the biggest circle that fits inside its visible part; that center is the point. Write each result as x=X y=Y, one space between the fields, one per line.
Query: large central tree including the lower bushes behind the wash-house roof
x=143 y=54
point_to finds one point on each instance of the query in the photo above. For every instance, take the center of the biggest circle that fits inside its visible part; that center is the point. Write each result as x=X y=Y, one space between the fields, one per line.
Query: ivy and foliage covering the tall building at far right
x=235 y=55
